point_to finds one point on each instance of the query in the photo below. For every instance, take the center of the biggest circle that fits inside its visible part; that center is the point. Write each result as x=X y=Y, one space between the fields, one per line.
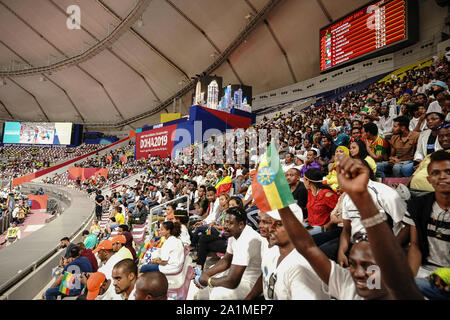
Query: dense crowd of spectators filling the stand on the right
x=350 y=218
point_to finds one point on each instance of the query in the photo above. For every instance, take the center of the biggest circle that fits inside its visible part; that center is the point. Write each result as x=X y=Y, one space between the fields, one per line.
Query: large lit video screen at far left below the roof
x=37 y=132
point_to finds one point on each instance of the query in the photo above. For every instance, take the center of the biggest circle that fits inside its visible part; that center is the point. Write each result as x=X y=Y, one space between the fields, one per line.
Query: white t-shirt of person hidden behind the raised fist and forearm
x=384 y=198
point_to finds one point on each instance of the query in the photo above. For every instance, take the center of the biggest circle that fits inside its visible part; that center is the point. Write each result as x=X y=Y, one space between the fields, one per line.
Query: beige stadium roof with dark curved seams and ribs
x=132 y=57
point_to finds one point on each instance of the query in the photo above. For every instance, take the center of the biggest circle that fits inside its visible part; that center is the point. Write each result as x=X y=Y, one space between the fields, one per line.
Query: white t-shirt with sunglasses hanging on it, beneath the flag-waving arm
x=292 y=279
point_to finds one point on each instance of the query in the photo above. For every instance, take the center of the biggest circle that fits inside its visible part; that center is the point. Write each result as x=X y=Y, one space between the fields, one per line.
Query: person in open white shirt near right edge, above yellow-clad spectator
x=428 y=142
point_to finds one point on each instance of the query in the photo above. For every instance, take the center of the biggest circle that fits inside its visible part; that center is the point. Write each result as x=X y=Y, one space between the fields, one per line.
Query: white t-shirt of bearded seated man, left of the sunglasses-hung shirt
x=246 y=251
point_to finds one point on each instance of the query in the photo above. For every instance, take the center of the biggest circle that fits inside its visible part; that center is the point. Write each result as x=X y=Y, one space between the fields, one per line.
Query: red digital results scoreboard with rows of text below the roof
x=375 y=27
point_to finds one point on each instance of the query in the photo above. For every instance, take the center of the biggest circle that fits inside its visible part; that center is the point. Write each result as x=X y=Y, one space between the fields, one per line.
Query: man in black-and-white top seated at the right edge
x=428 y=221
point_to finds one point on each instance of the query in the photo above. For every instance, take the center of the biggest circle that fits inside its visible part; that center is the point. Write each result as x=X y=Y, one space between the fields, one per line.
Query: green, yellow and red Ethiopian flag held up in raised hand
x=269 y=186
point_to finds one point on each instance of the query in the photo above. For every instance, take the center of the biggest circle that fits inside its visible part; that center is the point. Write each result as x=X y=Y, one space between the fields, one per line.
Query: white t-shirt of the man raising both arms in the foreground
x=340 y=284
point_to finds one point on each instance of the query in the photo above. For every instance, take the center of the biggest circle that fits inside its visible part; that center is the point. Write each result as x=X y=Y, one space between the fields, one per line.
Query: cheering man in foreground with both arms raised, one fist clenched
x=395 y=281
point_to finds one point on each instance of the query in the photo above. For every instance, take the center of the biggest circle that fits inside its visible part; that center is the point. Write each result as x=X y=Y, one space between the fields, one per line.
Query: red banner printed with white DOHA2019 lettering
x=156 y=142
